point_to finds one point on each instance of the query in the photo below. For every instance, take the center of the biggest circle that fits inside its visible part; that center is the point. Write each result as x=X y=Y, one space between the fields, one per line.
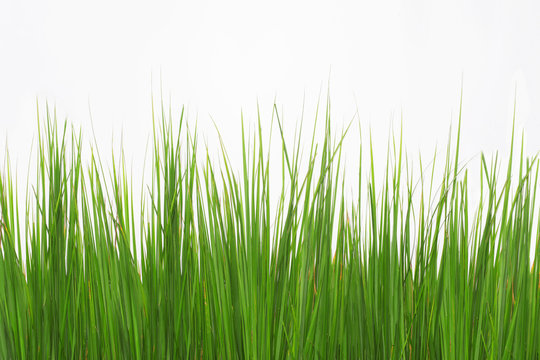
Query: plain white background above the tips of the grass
x=386 y=59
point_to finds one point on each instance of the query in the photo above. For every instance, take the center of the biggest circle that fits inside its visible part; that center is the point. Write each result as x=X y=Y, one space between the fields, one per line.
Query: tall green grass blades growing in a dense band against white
x=206 y=270
